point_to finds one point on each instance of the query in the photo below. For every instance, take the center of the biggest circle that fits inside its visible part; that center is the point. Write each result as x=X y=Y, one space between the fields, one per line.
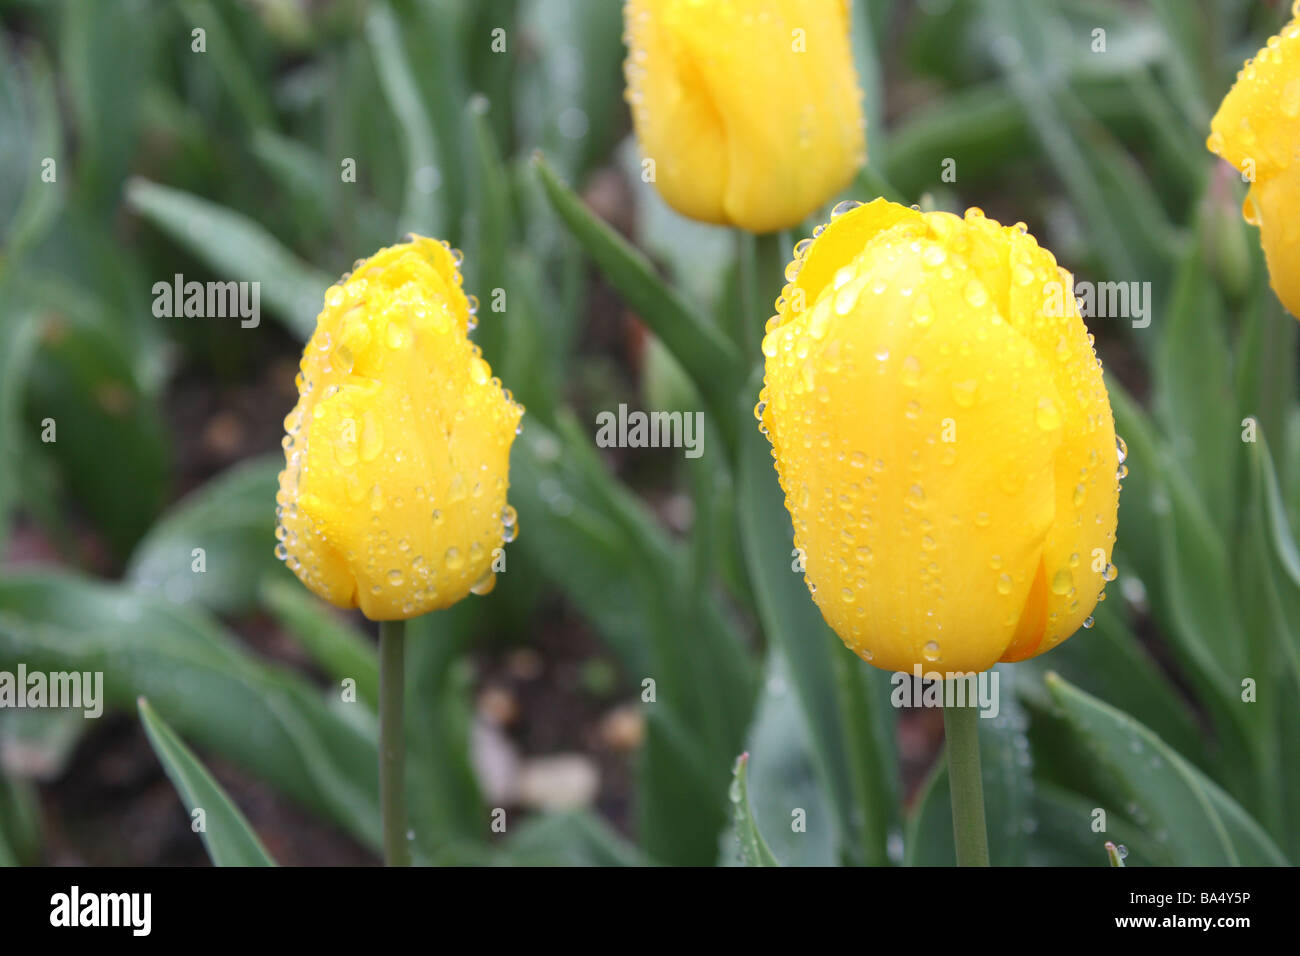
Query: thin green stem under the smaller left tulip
x=397 y=847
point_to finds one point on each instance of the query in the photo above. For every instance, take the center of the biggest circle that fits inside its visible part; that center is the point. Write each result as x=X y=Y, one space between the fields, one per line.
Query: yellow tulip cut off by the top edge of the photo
x=749 y=110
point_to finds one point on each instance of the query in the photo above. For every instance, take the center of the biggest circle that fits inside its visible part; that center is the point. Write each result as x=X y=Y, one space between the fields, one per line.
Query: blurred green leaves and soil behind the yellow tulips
x=226 y=165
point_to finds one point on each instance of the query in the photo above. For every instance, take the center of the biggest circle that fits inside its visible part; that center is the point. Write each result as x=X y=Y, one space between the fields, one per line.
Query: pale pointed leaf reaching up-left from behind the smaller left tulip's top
x=237 y=249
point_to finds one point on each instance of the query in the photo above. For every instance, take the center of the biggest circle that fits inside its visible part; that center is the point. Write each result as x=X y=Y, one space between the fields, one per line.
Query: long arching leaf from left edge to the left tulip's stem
x=262 y=717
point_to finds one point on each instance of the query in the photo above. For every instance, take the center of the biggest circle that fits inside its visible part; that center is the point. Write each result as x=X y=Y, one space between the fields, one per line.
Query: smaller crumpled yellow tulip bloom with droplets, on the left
x=393 y=496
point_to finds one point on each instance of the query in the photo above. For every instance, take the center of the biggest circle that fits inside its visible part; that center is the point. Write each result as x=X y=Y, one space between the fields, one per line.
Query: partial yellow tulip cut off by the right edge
x=1256 y=129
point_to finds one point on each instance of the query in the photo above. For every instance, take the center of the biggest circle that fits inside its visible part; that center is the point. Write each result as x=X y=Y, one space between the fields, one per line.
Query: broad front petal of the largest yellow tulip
x=902 y=408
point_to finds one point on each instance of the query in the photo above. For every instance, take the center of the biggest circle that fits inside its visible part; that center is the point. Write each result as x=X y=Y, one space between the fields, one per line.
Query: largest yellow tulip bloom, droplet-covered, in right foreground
x=943 y=436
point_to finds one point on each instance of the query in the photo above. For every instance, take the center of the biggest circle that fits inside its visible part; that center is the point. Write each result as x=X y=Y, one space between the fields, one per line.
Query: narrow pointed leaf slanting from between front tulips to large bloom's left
x=708 y=357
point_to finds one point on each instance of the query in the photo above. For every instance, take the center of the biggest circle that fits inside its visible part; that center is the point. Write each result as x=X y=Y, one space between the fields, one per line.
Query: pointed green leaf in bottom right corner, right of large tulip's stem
x=1172 y=801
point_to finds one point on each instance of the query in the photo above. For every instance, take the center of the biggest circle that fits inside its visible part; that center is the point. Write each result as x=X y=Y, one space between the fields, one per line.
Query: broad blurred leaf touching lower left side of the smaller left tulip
x=233 y=520
